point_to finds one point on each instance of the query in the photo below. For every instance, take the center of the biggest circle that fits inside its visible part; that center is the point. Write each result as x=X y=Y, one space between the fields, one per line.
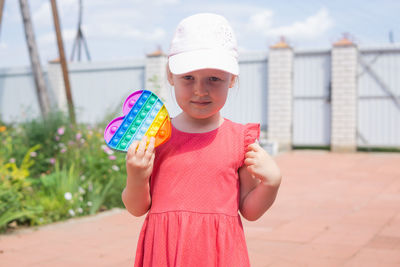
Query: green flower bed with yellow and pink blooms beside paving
x=51 y=171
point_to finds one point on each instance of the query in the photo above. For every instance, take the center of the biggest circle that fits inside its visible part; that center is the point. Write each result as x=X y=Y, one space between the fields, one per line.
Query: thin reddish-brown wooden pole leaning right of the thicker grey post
x=64 y=67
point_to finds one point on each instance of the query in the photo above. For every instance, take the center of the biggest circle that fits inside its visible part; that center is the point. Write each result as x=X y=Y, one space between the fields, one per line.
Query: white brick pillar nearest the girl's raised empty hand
x=280 y=95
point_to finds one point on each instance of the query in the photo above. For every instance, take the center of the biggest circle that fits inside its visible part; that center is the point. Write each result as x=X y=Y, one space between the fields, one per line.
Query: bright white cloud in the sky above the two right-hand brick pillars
x=310 y=28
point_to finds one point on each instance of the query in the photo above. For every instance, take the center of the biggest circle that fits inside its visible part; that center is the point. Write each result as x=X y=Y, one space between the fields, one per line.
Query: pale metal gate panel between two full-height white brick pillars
x=311 y=98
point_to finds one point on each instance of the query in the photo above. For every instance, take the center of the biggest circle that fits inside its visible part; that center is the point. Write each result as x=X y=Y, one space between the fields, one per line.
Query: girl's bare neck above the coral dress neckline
x=185 y=123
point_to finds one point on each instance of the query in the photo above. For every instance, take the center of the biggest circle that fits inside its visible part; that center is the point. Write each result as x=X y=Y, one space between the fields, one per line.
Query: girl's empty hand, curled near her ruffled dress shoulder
x=261 y=165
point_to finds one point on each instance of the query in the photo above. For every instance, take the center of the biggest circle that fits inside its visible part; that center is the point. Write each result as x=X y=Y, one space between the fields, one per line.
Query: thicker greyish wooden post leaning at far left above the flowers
x=41 y=91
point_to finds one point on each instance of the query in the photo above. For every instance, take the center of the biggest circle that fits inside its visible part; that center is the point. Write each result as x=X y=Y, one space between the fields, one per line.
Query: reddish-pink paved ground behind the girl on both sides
x=332 y=210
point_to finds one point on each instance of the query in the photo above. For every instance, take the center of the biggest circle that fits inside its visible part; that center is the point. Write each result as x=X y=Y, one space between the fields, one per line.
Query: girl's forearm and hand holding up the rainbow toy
x=139 y=166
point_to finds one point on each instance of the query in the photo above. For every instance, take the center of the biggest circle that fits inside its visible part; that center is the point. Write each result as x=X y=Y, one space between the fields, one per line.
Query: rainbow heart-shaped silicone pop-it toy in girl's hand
x=144 y=114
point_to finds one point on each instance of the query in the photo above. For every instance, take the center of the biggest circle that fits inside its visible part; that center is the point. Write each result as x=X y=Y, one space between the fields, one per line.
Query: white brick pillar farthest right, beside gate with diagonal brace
x=344 y=96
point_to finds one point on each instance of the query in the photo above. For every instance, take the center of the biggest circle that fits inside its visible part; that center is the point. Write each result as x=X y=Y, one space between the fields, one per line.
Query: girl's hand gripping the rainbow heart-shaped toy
x=139 y=160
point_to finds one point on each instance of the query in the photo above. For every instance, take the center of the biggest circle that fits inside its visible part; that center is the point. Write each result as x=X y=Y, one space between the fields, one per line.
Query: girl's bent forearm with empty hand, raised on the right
x=260 y=178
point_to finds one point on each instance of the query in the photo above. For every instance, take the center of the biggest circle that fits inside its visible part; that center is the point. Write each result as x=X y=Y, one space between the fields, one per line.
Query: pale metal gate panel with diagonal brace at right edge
x=379 y=97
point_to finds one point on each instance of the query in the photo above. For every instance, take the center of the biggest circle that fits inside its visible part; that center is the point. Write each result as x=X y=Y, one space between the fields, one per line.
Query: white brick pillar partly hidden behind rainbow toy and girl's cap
x=156 y=76
